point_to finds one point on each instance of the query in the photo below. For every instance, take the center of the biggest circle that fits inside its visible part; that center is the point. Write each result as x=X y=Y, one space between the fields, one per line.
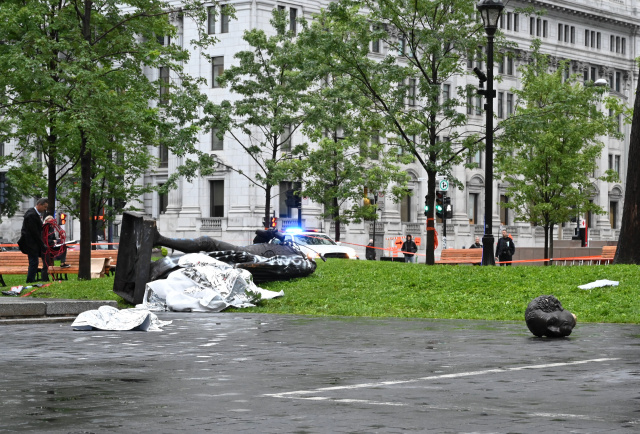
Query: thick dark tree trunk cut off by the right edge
x=627 y=251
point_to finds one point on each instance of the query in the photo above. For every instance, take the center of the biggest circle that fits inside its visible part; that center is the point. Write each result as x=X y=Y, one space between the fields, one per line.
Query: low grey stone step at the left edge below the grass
x=21 y=310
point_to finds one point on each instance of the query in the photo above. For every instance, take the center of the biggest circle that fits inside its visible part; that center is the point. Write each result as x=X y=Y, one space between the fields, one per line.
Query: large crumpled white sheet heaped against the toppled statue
x=204 y=285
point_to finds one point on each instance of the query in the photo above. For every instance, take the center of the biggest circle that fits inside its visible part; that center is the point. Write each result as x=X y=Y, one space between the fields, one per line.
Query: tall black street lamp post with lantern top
x=490 y=11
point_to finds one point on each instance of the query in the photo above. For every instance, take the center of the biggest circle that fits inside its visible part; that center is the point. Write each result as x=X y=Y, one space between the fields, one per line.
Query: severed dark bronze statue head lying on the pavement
x=546 y=317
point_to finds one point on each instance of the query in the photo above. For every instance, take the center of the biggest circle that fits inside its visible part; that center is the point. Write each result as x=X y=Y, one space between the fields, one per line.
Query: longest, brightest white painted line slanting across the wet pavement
x=296 y=393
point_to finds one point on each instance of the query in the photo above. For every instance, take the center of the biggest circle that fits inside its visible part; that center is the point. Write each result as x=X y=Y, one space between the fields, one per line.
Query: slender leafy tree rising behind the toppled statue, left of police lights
x=271 y=91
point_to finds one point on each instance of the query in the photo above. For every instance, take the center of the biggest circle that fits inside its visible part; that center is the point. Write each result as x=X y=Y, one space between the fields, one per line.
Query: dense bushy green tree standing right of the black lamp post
x=548 y=148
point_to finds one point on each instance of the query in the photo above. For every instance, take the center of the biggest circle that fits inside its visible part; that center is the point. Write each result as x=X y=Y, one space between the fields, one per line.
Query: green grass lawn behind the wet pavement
x=393 y=289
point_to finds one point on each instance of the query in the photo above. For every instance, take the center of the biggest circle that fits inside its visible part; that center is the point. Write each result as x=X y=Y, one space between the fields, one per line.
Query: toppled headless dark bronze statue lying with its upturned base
x=265 y=261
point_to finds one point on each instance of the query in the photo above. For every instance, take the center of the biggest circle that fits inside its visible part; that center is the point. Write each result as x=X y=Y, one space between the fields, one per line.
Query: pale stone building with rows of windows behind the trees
x=600 y=38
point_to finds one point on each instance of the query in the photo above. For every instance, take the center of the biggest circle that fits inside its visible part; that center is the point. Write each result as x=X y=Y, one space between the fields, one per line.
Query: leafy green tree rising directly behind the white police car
x=346 y=158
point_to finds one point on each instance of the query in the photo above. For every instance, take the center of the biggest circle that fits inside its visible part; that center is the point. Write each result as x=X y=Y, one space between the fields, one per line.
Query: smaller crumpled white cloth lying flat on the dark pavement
x=111 y=318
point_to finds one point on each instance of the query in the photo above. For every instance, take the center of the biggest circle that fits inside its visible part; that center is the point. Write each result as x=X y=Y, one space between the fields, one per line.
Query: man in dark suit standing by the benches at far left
x=30 y=242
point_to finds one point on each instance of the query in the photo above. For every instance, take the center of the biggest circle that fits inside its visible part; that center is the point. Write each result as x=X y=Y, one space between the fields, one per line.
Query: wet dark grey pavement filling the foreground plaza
x=235 y=373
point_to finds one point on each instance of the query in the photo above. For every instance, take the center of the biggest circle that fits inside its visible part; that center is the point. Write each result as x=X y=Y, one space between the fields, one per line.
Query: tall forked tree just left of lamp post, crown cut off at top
x=427 y=43
